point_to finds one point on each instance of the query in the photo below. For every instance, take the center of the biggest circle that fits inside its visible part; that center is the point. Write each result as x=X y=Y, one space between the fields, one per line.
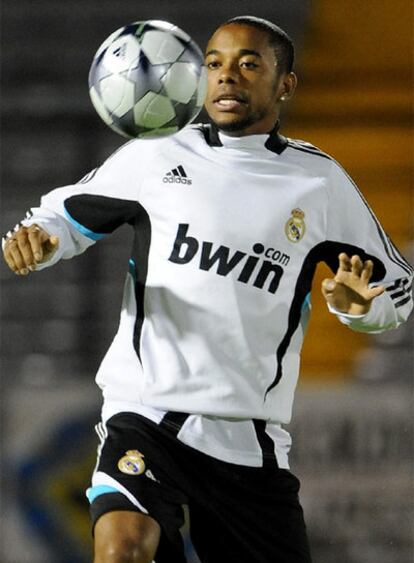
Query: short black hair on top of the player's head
x=278 y=39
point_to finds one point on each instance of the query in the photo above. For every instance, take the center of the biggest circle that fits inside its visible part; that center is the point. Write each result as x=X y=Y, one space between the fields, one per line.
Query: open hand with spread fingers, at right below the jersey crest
x=349 y=292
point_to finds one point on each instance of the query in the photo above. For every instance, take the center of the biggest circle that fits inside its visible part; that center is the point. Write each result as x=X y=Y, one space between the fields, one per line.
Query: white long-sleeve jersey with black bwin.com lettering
x=228 y=233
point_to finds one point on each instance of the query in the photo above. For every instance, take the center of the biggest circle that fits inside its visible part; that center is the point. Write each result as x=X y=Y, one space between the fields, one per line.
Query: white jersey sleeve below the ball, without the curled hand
x=86 y=212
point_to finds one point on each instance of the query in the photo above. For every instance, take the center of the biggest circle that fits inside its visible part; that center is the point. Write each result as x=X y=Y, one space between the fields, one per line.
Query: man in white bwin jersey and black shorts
x=201 y=374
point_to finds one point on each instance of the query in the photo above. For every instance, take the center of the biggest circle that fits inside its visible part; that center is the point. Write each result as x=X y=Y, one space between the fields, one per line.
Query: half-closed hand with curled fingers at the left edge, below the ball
x=25 y=247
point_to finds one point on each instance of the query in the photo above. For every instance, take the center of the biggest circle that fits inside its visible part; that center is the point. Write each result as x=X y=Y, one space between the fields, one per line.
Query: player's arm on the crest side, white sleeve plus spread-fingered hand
x=352 y=294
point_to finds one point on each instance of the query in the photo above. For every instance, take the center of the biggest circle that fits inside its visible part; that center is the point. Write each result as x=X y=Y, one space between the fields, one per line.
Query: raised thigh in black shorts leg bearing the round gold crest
x=135 y=475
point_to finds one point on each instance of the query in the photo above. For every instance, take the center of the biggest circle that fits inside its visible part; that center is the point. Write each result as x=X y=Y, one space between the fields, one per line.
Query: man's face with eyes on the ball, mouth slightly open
x=244 y=84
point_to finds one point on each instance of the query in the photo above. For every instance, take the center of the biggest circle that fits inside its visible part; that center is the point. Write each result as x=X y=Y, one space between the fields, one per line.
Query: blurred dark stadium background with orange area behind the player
x=353 y=417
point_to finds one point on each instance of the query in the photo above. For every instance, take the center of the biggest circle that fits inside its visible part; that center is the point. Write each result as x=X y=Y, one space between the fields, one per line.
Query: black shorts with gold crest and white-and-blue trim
x=237 y=514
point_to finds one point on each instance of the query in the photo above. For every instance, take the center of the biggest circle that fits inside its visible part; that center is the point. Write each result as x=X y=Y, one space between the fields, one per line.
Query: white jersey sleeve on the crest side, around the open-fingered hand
x=354 y=228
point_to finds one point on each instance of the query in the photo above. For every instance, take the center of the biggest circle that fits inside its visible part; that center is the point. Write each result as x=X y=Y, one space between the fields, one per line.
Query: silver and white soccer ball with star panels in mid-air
x=148 y=79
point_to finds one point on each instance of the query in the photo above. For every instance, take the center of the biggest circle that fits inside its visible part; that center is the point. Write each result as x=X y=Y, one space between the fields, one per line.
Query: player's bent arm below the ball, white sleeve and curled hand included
x=72 y=218
